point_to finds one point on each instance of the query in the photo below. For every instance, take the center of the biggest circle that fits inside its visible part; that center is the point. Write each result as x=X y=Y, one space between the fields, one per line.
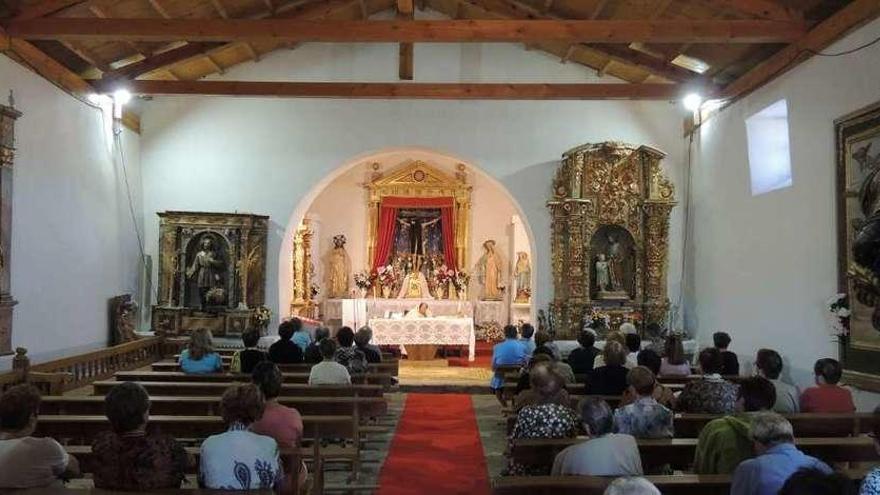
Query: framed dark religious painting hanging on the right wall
x=858 y=224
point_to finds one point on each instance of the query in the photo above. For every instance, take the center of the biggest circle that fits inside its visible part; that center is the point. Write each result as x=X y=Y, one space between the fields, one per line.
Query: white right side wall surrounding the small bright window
x=762 y=267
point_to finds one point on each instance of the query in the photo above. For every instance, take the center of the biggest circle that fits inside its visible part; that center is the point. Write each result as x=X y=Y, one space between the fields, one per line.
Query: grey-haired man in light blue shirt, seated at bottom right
x=777 y=458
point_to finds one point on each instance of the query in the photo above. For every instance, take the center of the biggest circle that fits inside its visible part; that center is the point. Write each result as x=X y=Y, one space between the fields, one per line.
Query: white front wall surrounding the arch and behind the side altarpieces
x=264 y=155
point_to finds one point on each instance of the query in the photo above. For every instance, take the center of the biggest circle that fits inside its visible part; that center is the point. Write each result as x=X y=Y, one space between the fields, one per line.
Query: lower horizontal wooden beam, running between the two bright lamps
x=437 y=91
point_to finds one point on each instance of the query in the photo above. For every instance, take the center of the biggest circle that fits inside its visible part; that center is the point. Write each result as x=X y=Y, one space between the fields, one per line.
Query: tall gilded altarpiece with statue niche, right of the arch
x=610 y=234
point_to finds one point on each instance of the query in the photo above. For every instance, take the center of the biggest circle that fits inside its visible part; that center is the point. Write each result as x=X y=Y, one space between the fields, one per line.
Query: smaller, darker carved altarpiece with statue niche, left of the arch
x=237 y=272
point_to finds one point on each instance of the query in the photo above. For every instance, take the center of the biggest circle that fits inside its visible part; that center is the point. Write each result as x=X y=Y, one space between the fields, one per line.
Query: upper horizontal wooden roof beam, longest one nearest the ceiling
x=452 y=31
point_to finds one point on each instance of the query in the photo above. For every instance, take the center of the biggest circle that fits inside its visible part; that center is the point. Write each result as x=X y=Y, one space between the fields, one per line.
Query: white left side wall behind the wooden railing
x=73 y=240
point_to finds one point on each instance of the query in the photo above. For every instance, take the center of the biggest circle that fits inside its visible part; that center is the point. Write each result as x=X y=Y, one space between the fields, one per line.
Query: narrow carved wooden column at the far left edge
x=8 y=116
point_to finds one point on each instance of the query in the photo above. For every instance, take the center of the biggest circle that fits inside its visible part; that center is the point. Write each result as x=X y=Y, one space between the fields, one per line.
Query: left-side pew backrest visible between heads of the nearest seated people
x=210 y=406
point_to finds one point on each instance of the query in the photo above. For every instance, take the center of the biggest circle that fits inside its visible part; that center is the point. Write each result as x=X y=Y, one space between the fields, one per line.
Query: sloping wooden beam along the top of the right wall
x=849 y=17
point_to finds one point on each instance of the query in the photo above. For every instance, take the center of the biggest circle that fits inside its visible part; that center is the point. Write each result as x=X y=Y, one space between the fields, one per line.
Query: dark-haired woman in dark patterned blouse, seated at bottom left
x=130 y=457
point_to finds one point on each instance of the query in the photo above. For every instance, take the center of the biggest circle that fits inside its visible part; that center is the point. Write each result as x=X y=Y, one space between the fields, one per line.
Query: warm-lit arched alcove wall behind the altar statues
x=339 y=203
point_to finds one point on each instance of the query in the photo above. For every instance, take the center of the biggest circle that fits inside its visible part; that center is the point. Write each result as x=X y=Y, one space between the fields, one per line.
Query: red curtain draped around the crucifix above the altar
x=388 y=225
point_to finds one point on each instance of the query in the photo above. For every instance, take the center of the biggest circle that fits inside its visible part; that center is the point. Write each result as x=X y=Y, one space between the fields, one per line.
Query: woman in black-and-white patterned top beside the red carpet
x=545 y=419
